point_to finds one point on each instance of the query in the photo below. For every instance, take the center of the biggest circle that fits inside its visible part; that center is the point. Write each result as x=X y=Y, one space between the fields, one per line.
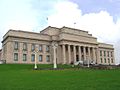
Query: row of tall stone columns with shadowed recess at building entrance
x=73 y=53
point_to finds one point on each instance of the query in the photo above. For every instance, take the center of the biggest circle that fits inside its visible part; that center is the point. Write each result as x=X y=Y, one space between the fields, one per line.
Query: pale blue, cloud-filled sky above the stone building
x=100 y=17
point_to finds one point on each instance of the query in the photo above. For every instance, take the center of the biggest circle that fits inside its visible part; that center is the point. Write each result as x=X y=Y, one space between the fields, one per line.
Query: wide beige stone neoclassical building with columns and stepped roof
x=64 y=45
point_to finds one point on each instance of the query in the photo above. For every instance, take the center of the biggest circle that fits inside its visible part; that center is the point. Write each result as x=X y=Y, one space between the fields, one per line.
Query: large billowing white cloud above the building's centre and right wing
x=100 y=24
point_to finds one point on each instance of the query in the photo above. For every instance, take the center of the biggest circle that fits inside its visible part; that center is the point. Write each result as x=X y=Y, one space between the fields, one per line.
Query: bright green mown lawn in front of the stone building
x=23 y=77
